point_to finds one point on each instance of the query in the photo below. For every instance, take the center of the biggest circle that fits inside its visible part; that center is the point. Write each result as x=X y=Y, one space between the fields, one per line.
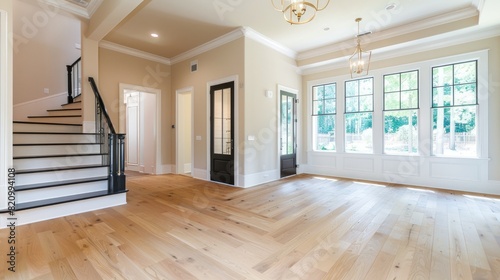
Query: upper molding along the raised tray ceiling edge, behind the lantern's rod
x=393 y=32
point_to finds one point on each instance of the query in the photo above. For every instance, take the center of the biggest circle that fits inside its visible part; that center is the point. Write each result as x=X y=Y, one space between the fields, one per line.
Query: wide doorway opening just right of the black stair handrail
x=139 y=119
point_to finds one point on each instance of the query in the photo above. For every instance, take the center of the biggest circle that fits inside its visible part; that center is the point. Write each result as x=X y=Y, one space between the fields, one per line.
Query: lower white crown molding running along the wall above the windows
x=408 y=48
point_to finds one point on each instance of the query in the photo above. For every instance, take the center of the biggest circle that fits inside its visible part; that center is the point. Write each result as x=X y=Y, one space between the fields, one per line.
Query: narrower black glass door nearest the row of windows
x=288 y=127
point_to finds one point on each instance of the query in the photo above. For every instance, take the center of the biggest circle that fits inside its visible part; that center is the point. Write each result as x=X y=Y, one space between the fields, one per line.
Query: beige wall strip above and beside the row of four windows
x=493 y=44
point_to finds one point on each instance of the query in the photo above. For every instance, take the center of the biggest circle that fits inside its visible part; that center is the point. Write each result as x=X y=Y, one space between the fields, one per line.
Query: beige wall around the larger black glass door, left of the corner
x=213 y=65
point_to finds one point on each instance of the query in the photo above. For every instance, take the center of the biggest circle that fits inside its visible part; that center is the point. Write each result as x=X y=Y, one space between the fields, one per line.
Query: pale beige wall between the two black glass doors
x=265 y=69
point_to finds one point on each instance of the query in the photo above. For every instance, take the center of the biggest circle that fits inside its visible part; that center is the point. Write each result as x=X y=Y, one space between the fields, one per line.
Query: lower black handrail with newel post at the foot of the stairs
x=112 y=144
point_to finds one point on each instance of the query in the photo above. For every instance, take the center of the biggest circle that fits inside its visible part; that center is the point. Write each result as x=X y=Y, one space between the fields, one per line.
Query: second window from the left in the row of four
x=359 y=115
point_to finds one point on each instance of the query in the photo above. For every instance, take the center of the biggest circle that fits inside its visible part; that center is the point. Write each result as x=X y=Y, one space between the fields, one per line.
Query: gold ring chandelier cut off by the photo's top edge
x=294 y=11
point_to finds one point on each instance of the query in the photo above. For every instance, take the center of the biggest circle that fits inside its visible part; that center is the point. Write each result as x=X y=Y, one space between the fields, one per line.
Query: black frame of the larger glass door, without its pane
x=222 y=167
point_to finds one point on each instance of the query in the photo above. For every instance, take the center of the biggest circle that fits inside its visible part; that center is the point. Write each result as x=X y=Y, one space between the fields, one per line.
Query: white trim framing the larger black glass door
x=228 y=79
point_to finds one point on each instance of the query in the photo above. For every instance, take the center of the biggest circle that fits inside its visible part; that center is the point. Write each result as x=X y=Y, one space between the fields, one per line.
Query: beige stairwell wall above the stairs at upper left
x=44 y=43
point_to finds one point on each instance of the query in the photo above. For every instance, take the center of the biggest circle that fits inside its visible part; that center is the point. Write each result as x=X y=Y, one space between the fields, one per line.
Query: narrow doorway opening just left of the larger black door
x=184 y=131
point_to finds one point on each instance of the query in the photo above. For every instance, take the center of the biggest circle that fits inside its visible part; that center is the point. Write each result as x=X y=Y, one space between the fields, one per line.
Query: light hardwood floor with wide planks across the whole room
x=304 y=227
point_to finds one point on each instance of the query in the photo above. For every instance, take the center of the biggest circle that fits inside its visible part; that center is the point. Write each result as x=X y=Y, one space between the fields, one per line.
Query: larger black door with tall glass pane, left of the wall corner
x=222 y=133
